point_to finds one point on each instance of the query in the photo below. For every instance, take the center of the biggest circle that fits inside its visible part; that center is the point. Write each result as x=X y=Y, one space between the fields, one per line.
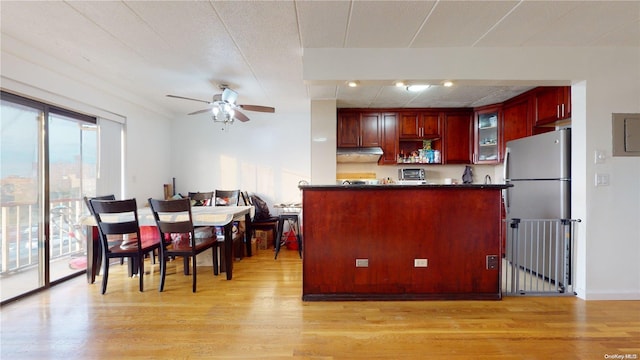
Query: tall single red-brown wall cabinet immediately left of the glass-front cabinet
x=457 y=137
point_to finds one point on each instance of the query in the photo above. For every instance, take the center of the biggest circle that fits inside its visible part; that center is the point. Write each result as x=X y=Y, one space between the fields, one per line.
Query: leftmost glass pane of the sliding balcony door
x=21 y=179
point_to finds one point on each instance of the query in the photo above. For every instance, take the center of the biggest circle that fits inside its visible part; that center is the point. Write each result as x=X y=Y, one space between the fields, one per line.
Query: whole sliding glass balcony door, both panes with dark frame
x=48 y=163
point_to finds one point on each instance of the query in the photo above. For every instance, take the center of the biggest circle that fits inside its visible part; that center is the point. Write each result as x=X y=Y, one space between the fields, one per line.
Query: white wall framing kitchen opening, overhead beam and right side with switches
x=605 y=81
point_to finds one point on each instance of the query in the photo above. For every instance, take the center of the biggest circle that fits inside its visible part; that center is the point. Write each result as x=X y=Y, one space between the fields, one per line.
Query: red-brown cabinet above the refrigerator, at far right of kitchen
x=552 y=103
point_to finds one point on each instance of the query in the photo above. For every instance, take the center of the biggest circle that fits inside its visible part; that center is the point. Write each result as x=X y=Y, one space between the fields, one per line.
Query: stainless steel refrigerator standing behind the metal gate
x=539 y=168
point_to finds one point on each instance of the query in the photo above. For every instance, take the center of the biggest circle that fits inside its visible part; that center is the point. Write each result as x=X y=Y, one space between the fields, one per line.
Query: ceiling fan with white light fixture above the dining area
x=224 y=108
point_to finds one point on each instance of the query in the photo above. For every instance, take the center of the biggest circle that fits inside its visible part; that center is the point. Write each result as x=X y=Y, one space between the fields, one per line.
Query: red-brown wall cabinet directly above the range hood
x=358 y=129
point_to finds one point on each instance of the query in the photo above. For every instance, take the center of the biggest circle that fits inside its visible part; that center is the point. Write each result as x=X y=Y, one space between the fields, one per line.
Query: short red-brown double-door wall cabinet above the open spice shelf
x=417 y=125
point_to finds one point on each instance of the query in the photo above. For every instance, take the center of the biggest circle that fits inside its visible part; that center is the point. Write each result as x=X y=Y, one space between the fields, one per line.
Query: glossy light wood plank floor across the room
x=259 y=314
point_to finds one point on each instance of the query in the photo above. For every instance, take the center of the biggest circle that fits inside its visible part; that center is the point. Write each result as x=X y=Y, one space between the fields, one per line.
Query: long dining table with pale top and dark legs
x=220 y=216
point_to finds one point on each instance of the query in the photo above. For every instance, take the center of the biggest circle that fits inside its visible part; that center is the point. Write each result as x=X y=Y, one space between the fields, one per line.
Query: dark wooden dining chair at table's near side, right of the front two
x=174 y=219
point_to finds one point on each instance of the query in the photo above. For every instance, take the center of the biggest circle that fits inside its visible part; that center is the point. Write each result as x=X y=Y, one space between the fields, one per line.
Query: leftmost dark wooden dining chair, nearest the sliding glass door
x=120 y=218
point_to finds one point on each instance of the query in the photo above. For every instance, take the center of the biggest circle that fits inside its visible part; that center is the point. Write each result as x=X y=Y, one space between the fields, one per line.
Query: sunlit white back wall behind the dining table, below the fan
x=268 y=155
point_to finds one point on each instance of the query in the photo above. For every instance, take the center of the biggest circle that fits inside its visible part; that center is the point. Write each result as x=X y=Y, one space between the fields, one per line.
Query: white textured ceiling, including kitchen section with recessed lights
x=189 y=48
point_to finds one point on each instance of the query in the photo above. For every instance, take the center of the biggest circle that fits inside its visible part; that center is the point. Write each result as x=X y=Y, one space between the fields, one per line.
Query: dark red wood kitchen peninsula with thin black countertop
x=401 y=242
